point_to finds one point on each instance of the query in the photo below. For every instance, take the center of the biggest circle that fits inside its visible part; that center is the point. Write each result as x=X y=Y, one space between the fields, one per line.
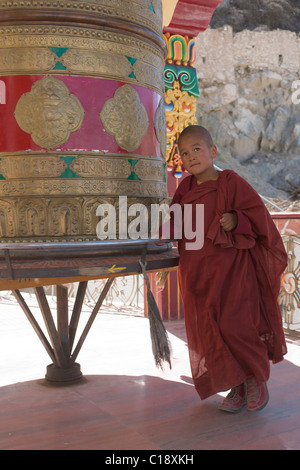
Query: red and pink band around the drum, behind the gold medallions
x=92 y=94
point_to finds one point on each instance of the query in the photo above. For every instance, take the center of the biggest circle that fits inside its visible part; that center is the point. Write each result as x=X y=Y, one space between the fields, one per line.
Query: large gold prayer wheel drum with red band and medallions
x=82 y=114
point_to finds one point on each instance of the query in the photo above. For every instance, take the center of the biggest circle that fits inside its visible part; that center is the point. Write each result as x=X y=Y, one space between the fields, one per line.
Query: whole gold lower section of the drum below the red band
x=68 y=212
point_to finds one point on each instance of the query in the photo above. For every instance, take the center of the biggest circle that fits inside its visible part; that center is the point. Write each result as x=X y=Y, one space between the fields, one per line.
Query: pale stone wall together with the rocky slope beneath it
x=245 y=81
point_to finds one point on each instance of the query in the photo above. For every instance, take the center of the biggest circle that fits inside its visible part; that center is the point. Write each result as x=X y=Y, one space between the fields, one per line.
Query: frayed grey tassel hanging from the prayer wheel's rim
x=159 y=336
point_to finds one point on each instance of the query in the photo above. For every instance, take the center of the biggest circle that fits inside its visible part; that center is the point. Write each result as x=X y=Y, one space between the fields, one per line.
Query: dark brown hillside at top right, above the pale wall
x=251 y=14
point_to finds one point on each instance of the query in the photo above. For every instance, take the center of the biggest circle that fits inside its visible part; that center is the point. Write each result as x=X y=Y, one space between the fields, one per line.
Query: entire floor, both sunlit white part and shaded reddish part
x=124 y=402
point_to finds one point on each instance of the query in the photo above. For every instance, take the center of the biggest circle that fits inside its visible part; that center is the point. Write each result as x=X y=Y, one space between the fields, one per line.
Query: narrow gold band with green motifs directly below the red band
x=19 y=168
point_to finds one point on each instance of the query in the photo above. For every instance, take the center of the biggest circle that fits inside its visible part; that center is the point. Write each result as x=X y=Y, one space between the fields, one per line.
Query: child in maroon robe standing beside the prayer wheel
x=230 y=286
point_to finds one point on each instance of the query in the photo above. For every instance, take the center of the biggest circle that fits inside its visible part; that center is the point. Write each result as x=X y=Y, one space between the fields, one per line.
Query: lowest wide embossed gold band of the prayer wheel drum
x=59 y=219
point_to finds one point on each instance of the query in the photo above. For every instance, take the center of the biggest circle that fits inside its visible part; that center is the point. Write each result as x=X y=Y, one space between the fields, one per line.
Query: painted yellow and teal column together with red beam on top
x=183 y=20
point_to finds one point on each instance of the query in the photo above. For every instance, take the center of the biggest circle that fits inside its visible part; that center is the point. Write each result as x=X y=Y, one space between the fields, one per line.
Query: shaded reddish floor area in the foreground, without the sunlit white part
x=112 y=412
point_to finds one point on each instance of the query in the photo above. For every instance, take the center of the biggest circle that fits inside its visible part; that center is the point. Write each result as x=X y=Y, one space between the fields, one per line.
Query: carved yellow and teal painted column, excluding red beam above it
x=181 y=91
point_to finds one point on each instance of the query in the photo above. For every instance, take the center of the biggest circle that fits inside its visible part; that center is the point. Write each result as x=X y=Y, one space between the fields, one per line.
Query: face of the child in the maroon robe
x=197 y=156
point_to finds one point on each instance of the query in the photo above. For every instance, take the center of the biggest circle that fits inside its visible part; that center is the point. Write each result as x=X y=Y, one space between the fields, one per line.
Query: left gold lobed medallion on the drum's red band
x=49 y=113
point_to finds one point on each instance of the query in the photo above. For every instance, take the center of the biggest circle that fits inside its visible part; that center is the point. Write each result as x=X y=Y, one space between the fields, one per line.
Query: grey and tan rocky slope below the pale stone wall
x=255 y=130
